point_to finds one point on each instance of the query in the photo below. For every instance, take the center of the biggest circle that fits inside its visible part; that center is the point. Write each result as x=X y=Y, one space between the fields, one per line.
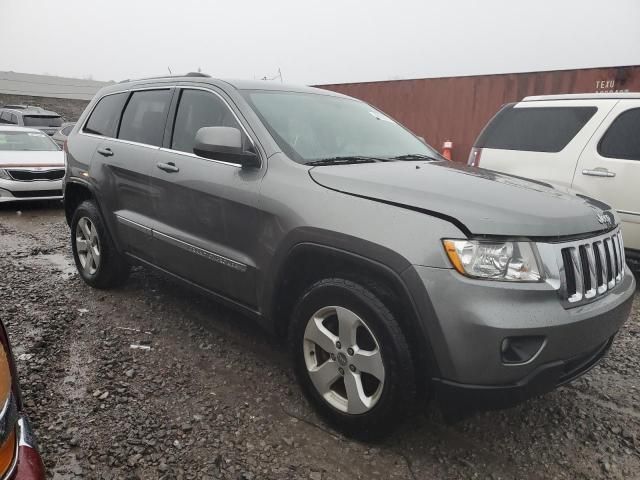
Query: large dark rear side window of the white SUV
x=534 y=129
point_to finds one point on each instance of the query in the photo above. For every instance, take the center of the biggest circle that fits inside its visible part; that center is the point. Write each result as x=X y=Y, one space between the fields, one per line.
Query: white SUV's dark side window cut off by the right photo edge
x=622 y=139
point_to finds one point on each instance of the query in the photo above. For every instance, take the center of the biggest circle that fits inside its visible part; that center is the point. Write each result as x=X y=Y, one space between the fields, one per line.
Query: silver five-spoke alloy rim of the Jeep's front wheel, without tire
x=343 y=360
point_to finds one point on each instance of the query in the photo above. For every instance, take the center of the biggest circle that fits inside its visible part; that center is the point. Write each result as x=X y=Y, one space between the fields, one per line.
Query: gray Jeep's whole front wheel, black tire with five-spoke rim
x=365 y=401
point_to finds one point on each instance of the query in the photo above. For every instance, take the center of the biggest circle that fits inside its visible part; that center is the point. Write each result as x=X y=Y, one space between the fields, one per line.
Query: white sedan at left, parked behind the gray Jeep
x=31 y=165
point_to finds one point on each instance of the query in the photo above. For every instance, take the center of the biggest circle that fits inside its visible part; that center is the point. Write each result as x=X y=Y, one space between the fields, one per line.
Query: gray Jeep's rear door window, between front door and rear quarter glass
x=144 y=117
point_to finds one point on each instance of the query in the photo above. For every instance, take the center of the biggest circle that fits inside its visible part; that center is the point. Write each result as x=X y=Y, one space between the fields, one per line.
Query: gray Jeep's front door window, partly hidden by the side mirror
x=197 y=109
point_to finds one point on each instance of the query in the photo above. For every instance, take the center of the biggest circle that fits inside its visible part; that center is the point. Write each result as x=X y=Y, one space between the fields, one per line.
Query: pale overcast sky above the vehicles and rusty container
x=315 y=42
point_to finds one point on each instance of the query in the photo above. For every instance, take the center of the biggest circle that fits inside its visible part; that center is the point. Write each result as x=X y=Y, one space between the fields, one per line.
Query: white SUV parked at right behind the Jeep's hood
x=589 y=143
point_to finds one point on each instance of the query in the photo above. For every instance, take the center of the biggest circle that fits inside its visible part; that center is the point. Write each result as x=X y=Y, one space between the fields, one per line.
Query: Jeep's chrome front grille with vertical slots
x=592 y=267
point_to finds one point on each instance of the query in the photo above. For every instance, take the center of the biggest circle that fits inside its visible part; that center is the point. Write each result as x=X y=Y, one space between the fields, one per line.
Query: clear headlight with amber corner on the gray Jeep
x=508 y=261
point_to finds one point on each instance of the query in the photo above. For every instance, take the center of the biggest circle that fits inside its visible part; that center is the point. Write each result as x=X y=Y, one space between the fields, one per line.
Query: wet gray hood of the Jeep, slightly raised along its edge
x=480 y=202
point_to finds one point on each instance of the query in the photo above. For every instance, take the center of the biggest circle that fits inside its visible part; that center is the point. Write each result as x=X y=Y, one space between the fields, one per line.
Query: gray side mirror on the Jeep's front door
x=224 y=144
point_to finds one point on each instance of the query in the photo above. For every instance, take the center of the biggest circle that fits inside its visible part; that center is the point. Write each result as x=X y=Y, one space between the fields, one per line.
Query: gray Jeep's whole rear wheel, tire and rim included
x=100 y=265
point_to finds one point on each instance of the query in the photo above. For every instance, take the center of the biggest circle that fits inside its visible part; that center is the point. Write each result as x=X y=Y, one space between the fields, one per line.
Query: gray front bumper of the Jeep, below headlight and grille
x=470 y=319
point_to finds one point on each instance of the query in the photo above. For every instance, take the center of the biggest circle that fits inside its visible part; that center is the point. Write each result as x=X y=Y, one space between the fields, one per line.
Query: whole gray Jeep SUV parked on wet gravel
x=394 y=276
